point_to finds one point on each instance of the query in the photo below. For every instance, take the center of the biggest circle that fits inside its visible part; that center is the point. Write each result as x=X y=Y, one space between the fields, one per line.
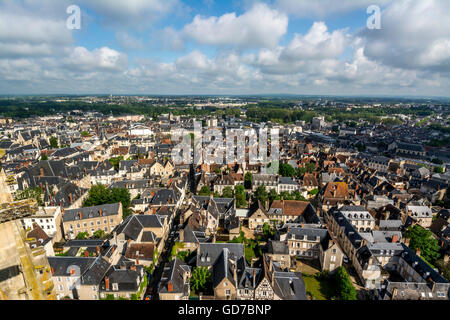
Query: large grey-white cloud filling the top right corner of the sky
x=414 y=35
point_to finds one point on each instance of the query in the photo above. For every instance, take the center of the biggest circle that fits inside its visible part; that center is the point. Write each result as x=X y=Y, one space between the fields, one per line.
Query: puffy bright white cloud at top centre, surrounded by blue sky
x=258 y=27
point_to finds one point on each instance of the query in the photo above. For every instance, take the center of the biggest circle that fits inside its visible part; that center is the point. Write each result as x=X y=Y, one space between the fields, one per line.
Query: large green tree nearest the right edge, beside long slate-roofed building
x=421 y=238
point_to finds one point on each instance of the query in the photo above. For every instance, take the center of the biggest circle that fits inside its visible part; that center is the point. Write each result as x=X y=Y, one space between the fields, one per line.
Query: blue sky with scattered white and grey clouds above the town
x=226 y=47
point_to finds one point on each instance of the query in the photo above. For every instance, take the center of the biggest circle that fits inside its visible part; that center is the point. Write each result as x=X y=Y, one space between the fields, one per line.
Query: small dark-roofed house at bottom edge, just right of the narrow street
x=175 y=281
